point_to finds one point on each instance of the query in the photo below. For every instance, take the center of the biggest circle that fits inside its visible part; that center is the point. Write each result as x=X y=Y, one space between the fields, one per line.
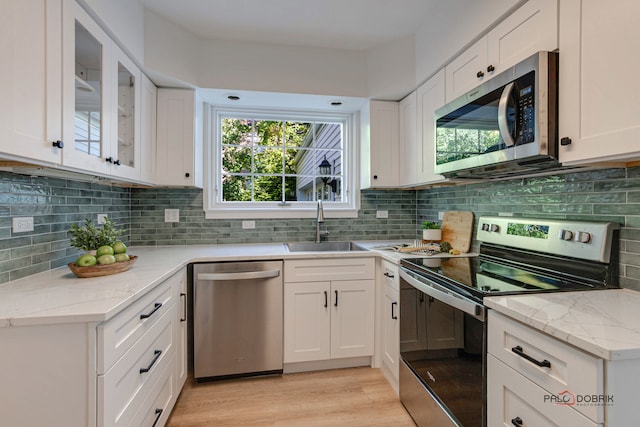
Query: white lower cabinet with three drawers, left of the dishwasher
x=126 y=371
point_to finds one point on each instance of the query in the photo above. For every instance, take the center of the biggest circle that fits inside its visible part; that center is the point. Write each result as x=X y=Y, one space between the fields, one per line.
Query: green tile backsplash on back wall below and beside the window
x=148 y=226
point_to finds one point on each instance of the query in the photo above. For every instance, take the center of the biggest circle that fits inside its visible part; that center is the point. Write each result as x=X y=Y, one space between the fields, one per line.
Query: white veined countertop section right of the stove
x=605 y=323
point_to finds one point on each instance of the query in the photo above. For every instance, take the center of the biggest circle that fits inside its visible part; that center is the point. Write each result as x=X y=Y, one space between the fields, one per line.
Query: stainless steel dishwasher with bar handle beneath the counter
x=237 y=319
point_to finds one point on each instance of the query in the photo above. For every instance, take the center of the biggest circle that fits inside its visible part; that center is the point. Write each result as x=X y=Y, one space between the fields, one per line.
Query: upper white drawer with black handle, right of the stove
x=570 y=369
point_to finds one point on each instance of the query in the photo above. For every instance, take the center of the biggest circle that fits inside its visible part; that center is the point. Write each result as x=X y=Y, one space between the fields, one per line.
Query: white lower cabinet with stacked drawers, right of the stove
x=534 y=379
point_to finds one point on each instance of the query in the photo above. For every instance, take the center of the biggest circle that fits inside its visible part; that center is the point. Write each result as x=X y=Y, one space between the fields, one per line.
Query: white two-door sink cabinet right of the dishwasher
x=324 y=317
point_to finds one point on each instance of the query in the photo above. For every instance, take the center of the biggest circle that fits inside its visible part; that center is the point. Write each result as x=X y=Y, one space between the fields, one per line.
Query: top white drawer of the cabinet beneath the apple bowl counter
x=116 y=336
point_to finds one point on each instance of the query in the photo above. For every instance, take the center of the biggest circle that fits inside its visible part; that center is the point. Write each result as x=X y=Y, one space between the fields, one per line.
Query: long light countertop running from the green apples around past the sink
x=58 y=296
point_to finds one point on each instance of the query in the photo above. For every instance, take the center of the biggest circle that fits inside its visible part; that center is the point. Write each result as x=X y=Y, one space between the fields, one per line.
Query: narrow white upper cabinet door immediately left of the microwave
x=431 y=96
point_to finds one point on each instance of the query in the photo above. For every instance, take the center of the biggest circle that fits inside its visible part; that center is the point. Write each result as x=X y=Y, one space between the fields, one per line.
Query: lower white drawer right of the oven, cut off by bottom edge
x=511 y=396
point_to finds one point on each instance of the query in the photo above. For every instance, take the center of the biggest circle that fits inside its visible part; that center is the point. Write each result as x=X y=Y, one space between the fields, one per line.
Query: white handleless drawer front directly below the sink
x=308 y=270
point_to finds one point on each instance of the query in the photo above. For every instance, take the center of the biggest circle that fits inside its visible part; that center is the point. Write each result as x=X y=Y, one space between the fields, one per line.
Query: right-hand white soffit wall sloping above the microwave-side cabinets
x=452 y=27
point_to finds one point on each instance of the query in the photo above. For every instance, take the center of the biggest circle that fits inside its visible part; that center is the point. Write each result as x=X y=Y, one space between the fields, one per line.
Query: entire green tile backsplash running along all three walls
x=607 y=194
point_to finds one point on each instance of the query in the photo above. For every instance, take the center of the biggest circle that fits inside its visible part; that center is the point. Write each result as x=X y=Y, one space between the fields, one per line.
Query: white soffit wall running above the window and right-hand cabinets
x=173 y=56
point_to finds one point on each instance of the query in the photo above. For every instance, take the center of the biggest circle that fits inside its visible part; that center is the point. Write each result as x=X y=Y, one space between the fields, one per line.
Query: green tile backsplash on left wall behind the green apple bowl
x=54 y=205
